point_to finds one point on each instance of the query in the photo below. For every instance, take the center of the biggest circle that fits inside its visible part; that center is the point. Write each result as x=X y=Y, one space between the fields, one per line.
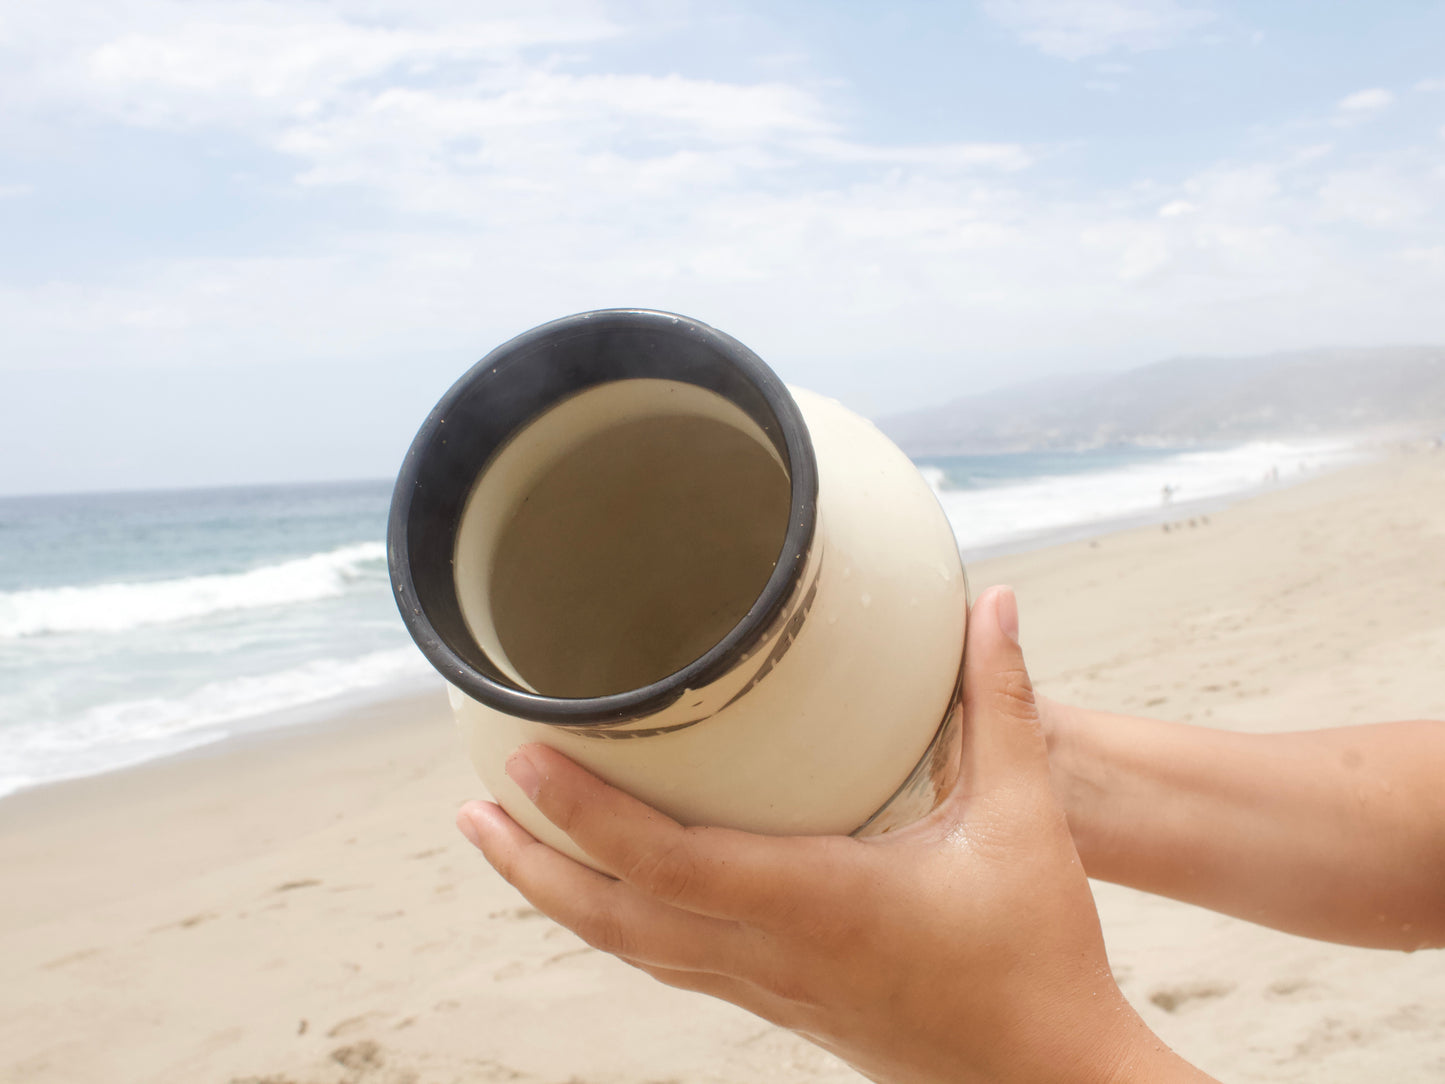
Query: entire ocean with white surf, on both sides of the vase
x=138 y=625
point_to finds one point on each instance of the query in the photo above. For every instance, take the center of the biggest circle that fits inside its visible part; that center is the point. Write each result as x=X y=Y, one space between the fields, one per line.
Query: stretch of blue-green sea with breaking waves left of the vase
x=137 y=625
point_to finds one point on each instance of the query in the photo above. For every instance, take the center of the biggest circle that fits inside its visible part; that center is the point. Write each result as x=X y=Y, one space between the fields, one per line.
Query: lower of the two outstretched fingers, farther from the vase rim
x=608 y=914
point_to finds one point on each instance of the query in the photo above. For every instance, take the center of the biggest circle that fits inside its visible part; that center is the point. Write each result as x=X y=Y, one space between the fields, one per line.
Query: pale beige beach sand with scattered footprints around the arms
x=297 y=908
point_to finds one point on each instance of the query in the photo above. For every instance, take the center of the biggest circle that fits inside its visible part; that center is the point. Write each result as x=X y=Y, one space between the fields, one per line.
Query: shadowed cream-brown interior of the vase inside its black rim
x=619 y=537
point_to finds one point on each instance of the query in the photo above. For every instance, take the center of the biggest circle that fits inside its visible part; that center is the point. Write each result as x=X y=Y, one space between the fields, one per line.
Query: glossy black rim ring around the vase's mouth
x=524 y=378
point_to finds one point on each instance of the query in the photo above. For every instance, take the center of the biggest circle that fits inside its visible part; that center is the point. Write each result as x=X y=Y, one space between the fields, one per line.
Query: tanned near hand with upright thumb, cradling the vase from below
x=963 y=947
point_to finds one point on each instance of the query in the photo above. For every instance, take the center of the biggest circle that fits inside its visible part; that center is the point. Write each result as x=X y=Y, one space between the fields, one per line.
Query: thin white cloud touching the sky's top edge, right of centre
x=1076 y=30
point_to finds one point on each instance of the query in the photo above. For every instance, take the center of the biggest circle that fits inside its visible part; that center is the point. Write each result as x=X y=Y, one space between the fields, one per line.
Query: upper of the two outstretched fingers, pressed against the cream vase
x=707 y=871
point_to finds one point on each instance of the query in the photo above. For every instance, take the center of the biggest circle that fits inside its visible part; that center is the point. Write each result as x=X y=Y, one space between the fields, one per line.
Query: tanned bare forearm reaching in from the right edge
x=1336 y=835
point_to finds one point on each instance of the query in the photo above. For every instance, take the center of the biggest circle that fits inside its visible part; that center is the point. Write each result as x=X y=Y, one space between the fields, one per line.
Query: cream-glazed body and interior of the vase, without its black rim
x=837 y=710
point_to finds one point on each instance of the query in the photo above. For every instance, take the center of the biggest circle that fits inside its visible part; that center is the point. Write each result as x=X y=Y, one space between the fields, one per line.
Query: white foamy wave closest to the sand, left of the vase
x=122 y=734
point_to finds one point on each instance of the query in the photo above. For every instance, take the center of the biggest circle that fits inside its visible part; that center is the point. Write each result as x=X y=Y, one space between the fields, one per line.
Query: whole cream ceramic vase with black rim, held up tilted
x=624 y=537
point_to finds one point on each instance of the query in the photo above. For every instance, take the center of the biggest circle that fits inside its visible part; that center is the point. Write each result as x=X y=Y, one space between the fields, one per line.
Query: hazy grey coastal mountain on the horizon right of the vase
x=1193 y=401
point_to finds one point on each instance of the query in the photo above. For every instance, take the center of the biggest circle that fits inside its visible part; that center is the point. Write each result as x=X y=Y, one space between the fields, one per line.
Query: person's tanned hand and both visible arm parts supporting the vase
x=967 y=946
